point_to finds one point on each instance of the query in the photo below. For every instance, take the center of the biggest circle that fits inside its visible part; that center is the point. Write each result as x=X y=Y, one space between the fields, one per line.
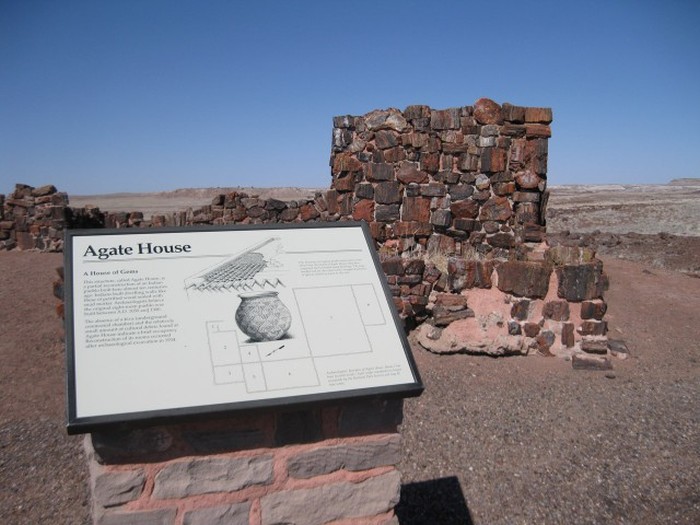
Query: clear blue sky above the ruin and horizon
x=147 y=95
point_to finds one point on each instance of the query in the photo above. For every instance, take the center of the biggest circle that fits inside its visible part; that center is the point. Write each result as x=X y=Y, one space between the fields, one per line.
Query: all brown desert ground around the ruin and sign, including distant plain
x=515 y=440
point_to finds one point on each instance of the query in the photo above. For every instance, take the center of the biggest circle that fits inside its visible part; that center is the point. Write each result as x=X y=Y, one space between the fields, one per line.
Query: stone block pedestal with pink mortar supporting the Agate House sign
x=329 y=464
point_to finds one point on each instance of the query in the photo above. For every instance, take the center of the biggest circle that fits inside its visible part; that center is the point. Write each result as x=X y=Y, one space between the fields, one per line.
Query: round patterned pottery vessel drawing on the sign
x=262 y=316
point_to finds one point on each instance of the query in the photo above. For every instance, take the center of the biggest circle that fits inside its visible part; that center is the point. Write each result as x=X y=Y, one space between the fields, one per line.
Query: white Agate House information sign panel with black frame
x=164 y=324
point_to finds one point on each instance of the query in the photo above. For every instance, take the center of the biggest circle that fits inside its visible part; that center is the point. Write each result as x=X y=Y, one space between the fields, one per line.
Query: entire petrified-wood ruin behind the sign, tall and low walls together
x=455 y=200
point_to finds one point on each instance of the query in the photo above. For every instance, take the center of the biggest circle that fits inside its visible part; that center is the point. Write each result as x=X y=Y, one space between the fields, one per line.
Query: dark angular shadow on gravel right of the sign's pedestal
x=434 y=501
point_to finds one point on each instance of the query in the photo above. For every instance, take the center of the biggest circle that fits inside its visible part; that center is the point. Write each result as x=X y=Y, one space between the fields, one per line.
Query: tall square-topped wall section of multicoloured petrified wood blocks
x=449 y=179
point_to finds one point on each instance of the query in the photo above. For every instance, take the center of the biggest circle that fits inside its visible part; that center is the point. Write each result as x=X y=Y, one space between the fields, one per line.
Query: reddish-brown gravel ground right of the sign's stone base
x=531 y=440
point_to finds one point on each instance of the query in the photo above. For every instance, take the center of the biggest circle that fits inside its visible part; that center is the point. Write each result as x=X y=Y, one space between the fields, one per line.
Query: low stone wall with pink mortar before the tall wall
x=552 y=305
